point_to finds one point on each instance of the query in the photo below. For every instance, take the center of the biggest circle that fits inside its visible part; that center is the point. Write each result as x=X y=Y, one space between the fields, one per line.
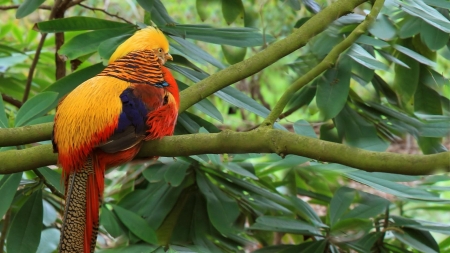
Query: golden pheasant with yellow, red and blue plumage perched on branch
x=103 y=122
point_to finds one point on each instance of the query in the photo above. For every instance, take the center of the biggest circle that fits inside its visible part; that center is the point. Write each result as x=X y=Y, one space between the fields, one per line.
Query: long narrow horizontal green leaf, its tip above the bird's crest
x=79 y=24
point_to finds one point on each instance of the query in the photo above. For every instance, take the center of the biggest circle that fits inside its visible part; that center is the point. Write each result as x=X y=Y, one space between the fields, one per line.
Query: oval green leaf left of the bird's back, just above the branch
x=35 y=107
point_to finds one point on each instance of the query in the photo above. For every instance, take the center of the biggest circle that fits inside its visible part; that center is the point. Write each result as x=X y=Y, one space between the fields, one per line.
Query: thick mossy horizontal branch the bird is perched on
x=258 y=141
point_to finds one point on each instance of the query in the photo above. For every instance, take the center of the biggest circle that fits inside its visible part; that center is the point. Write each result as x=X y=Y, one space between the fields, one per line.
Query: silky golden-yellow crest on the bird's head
x=149 y=38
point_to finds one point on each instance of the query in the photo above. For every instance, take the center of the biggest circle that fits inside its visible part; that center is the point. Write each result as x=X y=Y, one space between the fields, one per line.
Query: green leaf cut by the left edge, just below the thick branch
x=8 y=188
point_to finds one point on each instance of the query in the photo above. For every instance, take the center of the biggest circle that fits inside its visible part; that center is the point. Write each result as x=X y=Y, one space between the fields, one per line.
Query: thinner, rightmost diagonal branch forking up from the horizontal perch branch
x=326 y=63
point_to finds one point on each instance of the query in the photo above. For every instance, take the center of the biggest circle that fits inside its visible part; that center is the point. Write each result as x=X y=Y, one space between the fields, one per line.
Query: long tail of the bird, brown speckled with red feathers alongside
x=80 y=221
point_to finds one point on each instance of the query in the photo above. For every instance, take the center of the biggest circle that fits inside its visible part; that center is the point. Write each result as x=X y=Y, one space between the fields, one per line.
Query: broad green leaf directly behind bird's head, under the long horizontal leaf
x=88 y=42
